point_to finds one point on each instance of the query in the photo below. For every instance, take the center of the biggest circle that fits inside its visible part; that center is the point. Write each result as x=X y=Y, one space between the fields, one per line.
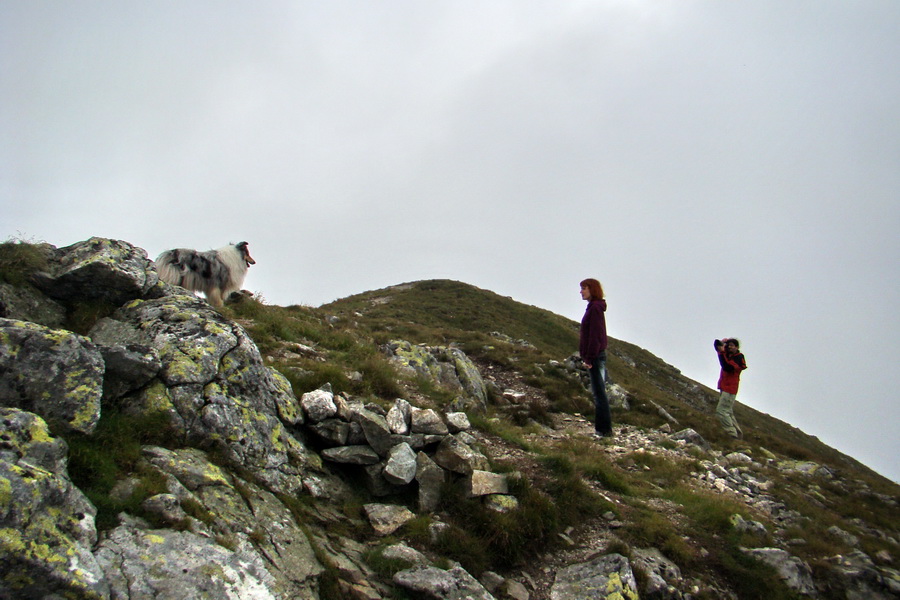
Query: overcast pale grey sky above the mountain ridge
x=724 y=168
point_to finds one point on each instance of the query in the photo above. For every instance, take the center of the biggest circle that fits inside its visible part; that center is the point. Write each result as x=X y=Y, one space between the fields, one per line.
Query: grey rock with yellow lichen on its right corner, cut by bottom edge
x=601 y=577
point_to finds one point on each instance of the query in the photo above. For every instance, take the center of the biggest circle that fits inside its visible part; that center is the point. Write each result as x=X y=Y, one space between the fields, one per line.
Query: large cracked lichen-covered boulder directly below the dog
x=215 y=388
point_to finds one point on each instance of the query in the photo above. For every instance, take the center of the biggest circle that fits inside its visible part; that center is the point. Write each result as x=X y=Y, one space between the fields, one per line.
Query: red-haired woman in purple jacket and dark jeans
x=592 y=348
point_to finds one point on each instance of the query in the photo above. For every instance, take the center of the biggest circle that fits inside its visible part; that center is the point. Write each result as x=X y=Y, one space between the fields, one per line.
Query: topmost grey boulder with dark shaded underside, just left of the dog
x=101 y=269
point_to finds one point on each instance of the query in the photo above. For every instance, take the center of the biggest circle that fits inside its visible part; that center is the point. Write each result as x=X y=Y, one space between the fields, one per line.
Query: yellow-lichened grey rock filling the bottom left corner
x=46 y=523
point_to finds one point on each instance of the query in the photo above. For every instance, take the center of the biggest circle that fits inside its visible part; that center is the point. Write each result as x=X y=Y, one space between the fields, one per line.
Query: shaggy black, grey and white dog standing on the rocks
x=216 y=273
